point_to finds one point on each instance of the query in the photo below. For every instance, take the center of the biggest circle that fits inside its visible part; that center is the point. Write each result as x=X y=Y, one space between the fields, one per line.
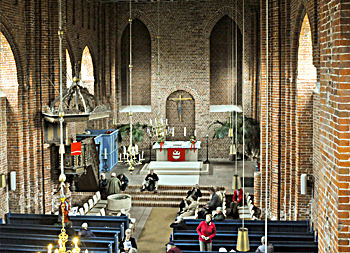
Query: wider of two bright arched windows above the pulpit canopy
x=87 y=70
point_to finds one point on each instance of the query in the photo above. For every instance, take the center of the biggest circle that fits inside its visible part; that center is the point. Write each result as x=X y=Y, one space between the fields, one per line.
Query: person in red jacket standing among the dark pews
x=206 y=231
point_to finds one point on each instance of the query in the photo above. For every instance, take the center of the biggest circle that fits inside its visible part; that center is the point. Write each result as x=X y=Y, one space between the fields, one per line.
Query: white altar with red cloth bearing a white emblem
x=177 y=151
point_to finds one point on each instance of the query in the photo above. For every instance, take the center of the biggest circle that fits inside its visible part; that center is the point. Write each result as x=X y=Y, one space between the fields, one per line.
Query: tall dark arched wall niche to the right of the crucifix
x=223 y=65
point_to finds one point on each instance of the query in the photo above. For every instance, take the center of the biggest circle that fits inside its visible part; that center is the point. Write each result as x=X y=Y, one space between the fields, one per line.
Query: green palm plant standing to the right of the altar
x=251 y=133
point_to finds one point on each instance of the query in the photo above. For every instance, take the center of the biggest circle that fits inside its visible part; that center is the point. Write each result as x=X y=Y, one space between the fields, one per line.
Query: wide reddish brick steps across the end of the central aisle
x=167 y=196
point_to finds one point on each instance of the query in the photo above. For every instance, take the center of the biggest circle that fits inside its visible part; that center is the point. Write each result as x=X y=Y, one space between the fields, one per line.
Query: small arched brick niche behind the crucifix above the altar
x=187 y=115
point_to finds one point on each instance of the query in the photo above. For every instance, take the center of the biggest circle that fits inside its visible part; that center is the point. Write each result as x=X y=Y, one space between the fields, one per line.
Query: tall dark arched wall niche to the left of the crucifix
x=141 y=61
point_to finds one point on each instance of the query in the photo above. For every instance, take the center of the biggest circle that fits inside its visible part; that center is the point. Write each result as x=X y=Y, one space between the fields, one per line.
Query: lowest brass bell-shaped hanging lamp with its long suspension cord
x=243 y=238
